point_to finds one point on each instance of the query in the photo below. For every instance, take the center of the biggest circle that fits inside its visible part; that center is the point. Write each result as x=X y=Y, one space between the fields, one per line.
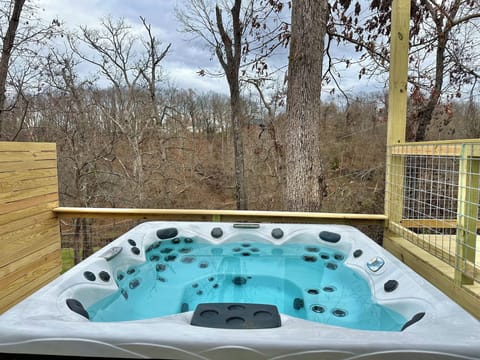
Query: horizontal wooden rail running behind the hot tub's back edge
x=221 y=215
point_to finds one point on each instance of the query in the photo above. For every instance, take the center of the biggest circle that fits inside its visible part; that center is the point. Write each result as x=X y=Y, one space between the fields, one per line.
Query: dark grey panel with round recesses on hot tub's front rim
x=236 y=316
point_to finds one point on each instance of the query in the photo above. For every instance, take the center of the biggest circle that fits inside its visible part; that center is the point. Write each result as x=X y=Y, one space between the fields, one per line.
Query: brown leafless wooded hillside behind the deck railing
x=187 y=161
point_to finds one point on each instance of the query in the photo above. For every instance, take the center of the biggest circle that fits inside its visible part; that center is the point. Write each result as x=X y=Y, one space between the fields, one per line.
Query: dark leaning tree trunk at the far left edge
x=8 y=43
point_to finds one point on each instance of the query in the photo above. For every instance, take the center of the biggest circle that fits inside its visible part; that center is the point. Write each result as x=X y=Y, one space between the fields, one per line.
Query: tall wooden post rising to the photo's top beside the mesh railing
x=397 y=108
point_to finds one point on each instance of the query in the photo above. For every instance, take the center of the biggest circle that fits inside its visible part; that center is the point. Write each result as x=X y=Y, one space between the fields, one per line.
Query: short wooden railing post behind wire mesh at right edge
x=467 y=214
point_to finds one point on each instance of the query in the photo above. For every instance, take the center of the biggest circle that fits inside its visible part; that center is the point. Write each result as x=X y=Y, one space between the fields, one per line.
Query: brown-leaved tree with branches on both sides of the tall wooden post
x=444 y=56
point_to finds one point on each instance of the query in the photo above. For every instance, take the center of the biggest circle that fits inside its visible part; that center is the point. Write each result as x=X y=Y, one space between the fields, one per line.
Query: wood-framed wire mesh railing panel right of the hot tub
x=432 y=201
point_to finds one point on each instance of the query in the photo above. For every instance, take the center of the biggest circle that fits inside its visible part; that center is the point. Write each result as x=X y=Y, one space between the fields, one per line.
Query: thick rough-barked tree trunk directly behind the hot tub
x=305 y=181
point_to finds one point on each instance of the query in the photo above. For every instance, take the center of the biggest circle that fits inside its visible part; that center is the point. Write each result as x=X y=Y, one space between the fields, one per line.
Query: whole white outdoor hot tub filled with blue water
x=204 y=290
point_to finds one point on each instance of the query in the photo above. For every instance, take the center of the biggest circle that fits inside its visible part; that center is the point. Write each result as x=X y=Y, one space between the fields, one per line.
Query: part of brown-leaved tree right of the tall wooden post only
x=453 y=56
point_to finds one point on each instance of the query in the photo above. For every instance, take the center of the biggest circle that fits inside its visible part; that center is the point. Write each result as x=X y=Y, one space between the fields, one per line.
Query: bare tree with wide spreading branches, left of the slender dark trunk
x=112 y=51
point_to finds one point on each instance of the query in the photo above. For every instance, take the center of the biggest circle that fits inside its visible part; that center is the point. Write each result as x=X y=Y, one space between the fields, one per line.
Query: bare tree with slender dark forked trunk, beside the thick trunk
x=233 y=38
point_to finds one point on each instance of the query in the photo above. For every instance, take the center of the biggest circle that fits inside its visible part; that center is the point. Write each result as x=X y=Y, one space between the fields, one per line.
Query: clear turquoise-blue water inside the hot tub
x=302 y=280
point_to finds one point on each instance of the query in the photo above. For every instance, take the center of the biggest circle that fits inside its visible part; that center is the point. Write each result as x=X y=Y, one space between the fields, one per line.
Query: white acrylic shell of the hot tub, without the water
x=43 y=324
